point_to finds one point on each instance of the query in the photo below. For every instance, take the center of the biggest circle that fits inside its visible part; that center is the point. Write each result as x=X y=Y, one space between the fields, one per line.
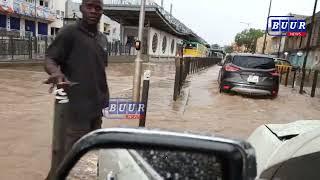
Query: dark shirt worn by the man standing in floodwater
x=82 y=57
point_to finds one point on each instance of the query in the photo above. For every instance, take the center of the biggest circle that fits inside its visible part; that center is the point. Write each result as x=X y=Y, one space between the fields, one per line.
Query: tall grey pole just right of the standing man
x=138 y=60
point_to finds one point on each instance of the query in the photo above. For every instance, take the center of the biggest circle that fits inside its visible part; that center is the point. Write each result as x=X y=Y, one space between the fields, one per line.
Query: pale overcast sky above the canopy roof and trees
x=218 y=21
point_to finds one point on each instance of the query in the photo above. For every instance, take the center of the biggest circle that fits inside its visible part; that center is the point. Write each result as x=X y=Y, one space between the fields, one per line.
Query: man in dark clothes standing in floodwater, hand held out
x=76 y=62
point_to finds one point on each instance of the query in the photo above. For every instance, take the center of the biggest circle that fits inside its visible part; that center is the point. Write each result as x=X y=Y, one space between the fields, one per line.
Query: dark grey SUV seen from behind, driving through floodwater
x=251 y=74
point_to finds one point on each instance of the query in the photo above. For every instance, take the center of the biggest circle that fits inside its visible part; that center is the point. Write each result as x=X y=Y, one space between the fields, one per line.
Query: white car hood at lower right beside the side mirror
x=277 y=143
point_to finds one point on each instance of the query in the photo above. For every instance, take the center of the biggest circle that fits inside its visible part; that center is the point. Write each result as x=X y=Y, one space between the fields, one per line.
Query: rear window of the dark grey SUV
x=253 y=62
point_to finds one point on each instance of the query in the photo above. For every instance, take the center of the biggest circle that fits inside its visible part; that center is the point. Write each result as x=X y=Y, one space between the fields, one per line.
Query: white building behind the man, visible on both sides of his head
x=45 y=18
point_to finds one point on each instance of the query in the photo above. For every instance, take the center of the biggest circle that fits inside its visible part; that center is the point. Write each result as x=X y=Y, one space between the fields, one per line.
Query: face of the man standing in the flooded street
x=91 y=11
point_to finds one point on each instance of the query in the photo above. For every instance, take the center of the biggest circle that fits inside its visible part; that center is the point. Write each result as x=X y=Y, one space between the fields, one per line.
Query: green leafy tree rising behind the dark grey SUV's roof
x=248 y=39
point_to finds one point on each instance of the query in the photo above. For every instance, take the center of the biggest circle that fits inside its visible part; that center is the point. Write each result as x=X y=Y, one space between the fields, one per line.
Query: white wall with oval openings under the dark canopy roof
x=161 y=35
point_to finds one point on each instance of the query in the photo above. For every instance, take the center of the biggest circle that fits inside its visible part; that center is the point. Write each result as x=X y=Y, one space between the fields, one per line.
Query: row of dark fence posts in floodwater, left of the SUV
x=187 y=66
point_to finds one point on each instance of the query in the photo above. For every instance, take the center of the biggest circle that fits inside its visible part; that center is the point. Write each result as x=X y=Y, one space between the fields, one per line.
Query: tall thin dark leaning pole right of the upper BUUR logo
x=308 y=47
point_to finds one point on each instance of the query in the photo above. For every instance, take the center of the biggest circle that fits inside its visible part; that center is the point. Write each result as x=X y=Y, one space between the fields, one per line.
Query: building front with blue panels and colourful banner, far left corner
x=26 y=17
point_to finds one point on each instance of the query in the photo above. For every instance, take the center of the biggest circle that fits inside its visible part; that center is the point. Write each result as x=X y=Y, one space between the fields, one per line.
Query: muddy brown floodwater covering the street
x=26 y=112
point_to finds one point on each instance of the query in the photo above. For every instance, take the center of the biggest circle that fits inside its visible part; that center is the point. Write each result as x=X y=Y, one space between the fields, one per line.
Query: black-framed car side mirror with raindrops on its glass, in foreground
x=151 y=154
